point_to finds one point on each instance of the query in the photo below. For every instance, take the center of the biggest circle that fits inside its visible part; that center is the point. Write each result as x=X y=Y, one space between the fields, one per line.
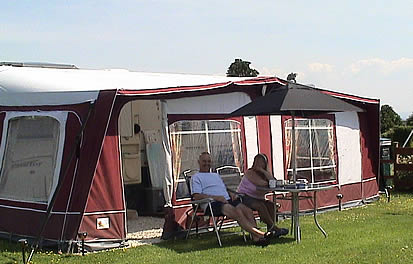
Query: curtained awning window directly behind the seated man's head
x=189 y=138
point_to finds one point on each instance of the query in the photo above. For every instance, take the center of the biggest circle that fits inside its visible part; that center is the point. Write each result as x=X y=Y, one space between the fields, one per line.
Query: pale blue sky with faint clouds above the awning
x=363 y=48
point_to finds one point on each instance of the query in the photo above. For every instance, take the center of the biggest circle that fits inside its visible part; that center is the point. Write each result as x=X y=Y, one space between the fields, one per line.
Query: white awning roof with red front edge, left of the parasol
x=47 y=86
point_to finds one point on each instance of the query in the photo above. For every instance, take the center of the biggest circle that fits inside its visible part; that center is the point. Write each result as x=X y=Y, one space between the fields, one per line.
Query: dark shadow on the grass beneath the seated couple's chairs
x=209 y=241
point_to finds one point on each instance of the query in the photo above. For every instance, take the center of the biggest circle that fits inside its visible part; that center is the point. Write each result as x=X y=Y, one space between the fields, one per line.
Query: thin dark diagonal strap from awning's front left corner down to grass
x=75 y=150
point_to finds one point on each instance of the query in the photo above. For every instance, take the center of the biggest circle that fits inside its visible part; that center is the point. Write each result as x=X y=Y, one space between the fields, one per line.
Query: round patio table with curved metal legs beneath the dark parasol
x=295 y=190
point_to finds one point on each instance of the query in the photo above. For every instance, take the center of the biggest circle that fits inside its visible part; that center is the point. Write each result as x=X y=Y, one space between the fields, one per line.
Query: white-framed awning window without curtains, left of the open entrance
x=29 y=159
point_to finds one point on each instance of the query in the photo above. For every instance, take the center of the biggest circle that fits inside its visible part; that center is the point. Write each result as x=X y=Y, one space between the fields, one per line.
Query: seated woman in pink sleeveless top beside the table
x=258 y=175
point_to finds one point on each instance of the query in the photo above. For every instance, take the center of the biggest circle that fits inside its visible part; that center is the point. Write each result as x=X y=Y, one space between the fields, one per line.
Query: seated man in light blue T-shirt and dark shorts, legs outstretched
x=210 y=185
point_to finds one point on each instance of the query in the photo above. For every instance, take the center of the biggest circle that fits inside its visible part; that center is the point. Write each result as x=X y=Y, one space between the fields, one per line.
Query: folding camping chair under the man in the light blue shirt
x=197 y=213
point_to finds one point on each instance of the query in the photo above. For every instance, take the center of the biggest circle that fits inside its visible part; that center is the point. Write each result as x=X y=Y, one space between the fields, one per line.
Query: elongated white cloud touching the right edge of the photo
x=381 y=65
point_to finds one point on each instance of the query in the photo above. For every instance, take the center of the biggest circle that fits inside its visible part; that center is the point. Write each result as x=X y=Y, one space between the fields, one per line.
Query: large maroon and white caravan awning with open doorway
x=79 y=147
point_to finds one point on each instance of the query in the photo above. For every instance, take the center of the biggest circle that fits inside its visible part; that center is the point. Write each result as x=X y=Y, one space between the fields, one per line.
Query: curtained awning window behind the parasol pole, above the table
x=315 y=149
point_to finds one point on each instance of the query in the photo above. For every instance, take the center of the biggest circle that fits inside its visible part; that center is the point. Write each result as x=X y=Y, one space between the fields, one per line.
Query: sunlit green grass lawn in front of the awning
x=380 y=232
